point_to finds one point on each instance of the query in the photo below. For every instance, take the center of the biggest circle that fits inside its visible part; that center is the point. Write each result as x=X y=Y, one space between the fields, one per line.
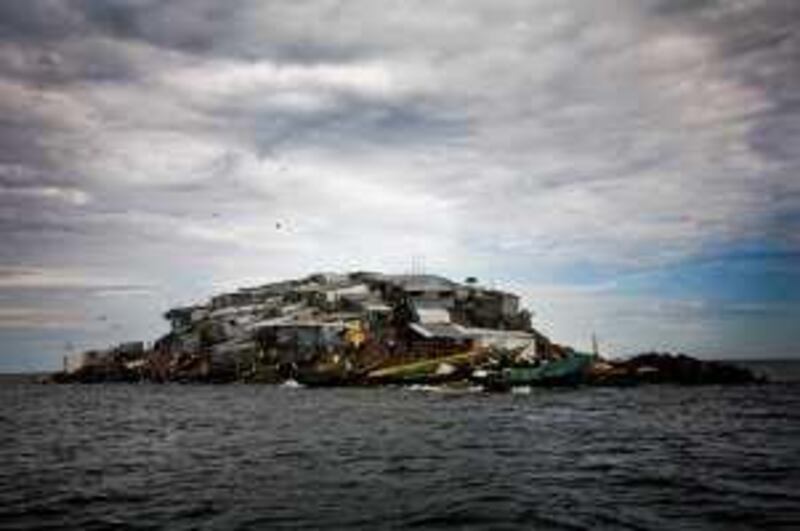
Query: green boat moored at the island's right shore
x=570 y=370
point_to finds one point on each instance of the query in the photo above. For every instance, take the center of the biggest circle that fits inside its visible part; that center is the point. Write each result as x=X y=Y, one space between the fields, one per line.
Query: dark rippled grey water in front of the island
x=258 y=457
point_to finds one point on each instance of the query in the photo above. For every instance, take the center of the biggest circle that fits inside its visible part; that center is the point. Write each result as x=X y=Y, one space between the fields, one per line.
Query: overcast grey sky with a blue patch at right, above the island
x=629 y=166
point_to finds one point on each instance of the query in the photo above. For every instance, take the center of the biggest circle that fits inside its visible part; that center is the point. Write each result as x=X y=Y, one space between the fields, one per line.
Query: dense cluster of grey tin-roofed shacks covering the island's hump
x=354 y=322
